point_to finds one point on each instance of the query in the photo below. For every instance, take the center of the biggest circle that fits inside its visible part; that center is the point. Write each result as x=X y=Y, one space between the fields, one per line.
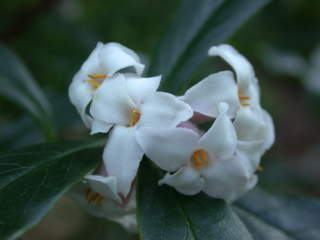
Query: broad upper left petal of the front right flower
x=169 y=148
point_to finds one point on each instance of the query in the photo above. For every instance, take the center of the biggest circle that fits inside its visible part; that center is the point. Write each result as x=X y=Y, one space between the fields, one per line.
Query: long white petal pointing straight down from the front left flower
x=122 y=156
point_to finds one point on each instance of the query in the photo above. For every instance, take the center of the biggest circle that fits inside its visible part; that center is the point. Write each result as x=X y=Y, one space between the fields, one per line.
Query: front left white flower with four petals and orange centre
x=127 y=103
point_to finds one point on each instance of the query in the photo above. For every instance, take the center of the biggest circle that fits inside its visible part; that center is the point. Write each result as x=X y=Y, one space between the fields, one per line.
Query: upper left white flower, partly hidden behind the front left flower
x=104 y=61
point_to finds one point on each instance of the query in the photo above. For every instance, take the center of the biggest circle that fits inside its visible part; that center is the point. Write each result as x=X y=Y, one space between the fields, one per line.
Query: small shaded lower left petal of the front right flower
x=185 y=180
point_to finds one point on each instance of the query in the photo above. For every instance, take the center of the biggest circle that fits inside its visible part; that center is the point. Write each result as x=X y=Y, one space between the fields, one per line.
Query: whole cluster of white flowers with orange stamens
x=111 y=96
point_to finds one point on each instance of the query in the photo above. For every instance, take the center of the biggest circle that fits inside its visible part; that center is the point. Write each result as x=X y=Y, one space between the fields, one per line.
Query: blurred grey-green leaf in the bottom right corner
x=280 y=217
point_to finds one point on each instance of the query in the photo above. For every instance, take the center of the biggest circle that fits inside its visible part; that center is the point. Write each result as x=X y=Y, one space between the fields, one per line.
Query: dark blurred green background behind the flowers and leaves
x=54 y=37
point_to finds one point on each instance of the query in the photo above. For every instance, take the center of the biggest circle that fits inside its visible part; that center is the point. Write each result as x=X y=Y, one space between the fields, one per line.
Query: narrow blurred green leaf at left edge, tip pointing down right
x=18 y=86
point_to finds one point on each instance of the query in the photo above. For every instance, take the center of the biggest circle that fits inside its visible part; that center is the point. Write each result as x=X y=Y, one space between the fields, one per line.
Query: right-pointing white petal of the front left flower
x=164 y=110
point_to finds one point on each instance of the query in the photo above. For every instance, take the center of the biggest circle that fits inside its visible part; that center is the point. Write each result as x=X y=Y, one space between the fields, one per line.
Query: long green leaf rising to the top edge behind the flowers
x=197 y=26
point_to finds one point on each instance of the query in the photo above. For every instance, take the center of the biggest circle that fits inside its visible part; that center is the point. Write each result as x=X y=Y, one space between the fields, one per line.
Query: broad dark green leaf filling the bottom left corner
x=33 y=178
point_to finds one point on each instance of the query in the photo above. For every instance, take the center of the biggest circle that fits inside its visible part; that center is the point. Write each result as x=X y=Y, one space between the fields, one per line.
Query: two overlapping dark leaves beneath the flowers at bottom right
x=169 y=215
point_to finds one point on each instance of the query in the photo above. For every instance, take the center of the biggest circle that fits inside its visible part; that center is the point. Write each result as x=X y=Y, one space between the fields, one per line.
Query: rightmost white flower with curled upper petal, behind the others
x=254 y=126
